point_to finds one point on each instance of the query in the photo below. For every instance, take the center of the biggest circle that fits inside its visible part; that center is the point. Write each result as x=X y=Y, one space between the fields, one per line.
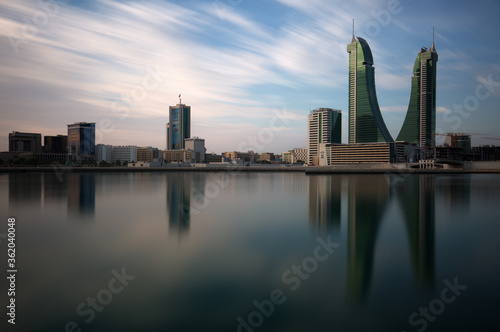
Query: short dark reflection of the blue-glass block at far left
x=81 y=195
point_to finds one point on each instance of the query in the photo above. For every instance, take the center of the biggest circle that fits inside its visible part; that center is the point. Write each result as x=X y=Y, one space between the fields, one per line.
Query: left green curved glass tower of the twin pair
x=366 y=124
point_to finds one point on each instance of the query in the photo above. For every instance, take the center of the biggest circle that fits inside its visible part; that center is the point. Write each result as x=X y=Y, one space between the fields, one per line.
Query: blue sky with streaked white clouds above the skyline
x=251 y=70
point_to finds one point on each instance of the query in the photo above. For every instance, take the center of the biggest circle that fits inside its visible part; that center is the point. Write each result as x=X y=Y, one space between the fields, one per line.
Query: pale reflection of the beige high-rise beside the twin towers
x=324 y=202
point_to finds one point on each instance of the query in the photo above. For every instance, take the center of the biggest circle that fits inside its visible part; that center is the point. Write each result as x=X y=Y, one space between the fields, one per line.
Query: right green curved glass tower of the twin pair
x=419 y=126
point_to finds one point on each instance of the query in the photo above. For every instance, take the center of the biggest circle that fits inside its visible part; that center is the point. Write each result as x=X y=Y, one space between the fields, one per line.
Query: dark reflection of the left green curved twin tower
x=368 y=197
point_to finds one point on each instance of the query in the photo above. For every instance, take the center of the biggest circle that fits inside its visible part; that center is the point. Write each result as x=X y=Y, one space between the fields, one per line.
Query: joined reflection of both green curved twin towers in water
x=369 y=197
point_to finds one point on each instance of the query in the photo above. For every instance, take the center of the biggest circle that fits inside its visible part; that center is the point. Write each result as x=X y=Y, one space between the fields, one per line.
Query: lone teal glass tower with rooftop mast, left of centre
x=179 y=127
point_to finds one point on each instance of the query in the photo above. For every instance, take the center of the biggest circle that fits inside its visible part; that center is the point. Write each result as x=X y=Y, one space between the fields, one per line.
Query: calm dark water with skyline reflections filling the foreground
x=202 y=248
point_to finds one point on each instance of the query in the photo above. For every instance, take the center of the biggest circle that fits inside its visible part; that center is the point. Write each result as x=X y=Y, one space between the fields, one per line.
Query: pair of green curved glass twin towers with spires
x=366 y=124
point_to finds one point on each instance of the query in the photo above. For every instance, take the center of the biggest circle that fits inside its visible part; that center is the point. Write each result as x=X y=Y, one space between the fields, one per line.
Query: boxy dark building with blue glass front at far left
x=81 y=138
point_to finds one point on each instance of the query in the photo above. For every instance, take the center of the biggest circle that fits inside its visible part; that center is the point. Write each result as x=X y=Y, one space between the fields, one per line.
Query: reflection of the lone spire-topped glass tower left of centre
x=182 y=189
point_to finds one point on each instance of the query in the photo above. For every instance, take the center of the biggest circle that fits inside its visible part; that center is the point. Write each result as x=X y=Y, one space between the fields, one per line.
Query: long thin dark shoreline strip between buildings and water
x=310 y=170
